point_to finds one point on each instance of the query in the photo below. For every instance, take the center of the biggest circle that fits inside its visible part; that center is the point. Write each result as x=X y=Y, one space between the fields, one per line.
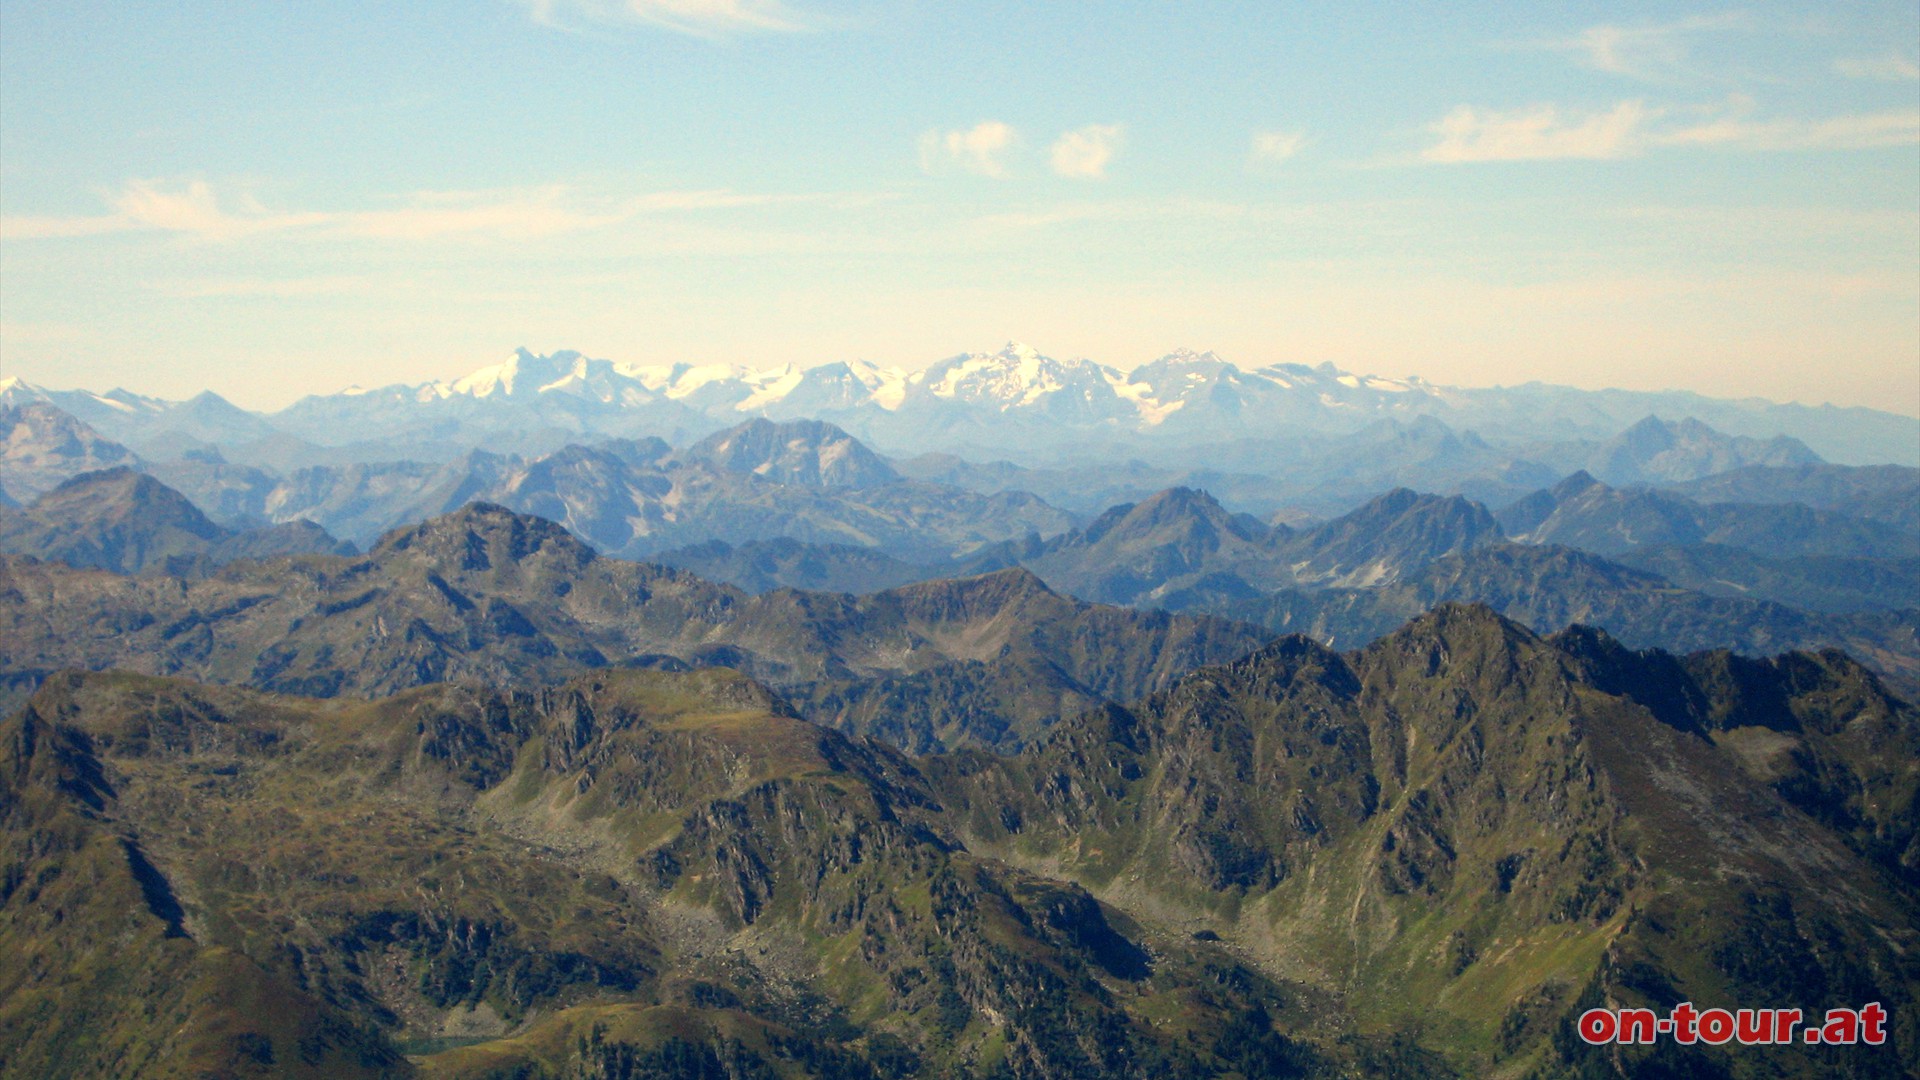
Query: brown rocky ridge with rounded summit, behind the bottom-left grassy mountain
x=494 y=597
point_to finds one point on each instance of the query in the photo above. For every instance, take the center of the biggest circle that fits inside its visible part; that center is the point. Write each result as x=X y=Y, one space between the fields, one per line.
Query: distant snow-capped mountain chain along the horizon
x=1015 y=399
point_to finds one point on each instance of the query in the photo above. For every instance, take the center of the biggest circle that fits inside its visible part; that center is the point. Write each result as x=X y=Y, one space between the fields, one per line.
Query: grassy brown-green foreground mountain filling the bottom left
x=636 y=873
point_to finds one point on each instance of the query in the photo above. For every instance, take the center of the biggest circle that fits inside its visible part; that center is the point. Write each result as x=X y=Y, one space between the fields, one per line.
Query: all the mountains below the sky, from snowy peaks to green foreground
x=1015 y=718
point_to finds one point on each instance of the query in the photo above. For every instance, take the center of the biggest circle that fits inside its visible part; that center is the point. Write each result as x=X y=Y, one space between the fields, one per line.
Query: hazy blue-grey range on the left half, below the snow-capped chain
x=798 y=479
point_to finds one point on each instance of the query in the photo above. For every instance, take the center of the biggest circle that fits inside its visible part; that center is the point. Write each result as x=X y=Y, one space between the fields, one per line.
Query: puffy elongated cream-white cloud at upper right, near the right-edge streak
x=1537 y=134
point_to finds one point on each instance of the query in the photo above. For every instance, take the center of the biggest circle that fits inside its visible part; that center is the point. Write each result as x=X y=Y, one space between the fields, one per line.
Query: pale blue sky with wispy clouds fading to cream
x=276 y=201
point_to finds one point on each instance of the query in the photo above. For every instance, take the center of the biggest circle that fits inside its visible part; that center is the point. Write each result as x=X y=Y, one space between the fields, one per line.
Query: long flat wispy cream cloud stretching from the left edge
x=195 y=210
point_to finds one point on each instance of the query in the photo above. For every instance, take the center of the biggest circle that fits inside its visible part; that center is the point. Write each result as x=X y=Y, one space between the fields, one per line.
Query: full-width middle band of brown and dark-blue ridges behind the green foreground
x=938 y=664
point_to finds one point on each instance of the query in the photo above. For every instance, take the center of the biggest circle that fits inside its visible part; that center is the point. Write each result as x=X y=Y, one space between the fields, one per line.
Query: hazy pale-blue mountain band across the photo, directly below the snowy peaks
x=642 y=497
